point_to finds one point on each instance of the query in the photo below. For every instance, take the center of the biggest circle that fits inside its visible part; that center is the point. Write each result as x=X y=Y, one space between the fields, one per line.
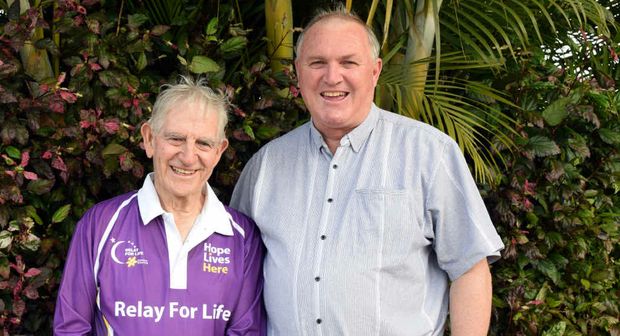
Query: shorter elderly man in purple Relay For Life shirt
x=170 y=258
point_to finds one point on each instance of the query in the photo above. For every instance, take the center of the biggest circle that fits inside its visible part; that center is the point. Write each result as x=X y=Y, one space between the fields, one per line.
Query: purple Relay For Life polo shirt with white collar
x=126 y=274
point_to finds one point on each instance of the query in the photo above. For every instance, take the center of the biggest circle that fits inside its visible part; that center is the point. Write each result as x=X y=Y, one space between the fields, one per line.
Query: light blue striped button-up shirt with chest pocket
x=364 y=242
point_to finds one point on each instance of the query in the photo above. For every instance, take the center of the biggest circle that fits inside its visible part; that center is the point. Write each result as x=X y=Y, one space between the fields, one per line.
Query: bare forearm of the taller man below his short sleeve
x=470 y=301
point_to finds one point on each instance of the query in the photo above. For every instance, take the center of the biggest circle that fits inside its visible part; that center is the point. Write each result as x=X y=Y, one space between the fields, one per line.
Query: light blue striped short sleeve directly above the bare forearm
x=463 y=231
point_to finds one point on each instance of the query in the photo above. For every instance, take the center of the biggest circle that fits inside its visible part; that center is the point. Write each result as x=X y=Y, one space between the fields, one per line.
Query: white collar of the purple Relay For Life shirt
x=213 y=216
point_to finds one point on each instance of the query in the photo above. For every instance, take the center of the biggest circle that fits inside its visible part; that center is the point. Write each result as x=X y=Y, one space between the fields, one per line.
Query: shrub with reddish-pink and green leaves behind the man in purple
x=71 y=141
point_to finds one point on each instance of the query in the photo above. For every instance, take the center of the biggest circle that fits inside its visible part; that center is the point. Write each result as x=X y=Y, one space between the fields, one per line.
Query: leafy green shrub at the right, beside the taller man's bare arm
x=558 y=205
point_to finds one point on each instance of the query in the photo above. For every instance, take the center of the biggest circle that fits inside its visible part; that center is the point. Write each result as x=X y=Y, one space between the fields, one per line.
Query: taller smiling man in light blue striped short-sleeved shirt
x=372 y=221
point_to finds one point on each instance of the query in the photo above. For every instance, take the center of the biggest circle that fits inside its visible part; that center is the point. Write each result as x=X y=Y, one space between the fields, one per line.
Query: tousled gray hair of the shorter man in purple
x=198 y=94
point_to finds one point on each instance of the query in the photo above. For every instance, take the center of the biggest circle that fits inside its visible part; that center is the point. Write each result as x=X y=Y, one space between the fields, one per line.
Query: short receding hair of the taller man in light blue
x=340 y=12
